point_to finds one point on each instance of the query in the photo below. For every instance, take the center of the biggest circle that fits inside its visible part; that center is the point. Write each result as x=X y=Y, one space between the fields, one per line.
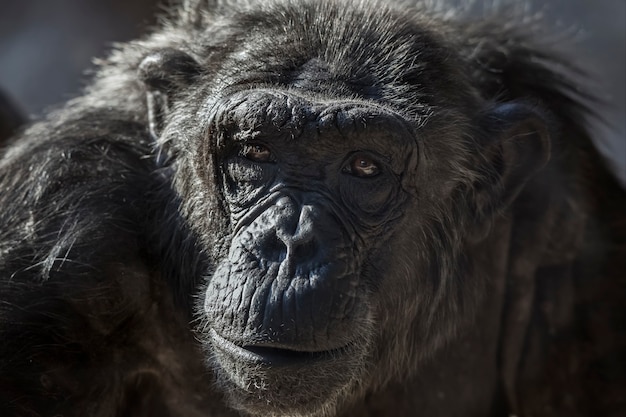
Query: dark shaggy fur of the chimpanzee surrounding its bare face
x=496 y=289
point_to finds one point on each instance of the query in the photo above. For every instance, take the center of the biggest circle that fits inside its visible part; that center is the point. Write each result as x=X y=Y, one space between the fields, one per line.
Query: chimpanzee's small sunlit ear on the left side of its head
x=165 y=72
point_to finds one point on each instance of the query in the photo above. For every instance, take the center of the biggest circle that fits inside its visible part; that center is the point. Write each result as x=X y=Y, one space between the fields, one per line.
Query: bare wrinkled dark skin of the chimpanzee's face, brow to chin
x=312 y=190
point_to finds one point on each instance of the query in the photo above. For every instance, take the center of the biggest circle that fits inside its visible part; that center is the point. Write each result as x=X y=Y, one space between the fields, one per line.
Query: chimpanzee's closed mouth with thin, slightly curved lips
x=273 y=356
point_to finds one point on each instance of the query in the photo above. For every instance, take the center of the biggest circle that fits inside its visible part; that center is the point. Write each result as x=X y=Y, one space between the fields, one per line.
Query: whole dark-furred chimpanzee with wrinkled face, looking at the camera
x=320 y=209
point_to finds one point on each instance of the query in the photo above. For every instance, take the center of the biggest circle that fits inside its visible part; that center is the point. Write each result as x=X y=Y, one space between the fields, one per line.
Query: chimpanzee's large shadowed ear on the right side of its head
x=516 y=147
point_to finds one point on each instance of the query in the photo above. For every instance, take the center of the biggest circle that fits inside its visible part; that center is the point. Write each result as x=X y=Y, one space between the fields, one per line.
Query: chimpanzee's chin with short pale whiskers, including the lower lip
x=270 y=381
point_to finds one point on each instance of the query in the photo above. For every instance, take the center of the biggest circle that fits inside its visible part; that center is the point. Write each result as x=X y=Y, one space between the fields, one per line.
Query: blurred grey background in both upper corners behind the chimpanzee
x=46 y=46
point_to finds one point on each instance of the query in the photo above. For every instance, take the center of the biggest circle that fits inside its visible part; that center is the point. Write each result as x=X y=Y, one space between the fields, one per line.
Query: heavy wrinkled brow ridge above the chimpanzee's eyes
x=270 y=116
